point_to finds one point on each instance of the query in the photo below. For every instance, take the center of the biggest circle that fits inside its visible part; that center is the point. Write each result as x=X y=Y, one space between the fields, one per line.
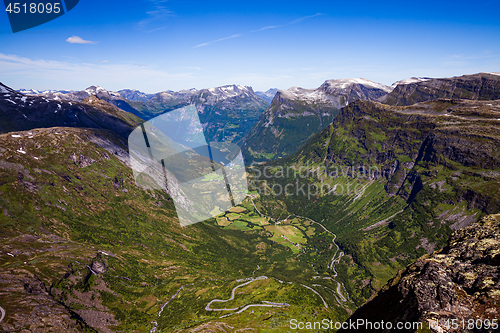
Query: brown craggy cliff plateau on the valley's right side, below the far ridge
x=439 y=144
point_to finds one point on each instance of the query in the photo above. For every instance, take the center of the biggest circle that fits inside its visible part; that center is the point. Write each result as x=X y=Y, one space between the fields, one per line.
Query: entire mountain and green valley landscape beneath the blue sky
x=387 y=220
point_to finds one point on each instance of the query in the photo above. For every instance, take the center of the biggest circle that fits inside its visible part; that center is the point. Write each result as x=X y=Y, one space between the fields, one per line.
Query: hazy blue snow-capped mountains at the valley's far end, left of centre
x=227 y=112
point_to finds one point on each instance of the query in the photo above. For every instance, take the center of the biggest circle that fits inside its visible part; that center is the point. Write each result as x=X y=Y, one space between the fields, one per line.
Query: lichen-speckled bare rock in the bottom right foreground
x=460 y=282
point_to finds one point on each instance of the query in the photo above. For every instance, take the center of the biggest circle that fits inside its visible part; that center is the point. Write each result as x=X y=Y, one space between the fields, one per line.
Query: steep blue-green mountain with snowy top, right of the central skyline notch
x=297 y=114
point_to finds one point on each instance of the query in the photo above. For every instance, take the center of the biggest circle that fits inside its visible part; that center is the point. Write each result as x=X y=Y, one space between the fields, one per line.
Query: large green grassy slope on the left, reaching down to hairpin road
x=69 y=212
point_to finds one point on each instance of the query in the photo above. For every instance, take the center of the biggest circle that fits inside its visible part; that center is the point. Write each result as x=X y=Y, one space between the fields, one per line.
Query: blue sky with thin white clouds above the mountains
x=155 y=45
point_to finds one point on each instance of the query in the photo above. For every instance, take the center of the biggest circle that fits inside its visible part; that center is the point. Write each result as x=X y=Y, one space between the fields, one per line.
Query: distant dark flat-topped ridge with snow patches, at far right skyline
x=482 y=86
